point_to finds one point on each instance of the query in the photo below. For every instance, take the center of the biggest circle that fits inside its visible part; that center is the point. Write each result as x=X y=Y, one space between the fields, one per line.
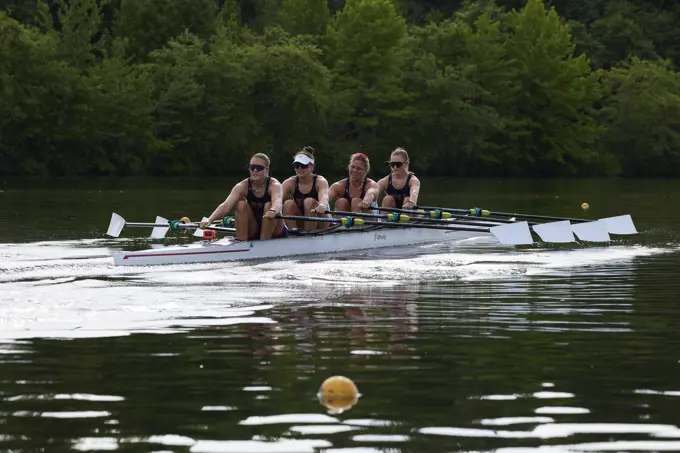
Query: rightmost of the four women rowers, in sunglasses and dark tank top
x=401 y=187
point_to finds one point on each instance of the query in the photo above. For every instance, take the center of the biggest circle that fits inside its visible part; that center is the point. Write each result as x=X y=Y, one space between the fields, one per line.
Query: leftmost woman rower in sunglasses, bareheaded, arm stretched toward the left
x=258 y=199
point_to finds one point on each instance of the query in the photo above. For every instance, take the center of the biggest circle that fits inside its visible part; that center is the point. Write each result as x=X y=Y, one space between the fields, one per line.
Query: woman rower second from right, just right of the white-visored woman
x=358 y=192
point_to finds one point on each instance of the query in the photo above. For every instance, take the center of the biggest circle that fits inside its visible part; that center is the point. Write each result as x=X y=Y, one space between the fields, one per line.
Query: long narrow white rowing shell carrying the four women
x=231 y=249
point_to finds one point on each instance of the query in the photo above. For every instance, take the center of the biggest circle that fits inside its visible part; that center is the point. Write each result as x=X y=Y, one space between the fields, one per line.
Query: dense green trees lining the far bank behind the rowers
x=475 y=87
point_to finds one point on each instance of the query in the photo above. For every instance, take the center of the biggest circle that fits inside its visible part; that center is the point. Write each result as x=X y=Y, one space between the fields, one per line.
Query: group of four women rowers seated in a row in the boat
x=259 y=199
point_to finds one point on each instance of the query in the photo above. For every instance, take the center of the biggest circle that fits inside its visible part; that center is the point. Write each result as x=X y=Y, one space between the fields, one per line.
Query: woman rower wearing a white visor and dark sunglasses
x=306 y=193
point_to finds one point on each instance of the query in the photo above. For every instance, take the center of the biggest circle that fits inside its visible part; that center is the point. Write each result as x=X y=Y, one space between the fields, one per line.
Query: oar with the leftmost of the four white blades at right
x=514 y=234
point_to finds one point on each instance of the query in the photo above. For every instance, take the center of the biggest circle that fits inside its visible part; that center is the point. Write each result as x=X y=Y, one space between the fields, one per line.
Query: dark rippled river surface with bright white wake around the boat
x=457 y=347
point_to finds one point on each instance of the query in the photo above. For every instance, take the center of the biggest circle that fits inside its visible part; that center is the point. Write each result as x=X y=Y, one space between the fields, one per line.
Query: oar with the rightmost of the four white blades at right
x=622 y=224
